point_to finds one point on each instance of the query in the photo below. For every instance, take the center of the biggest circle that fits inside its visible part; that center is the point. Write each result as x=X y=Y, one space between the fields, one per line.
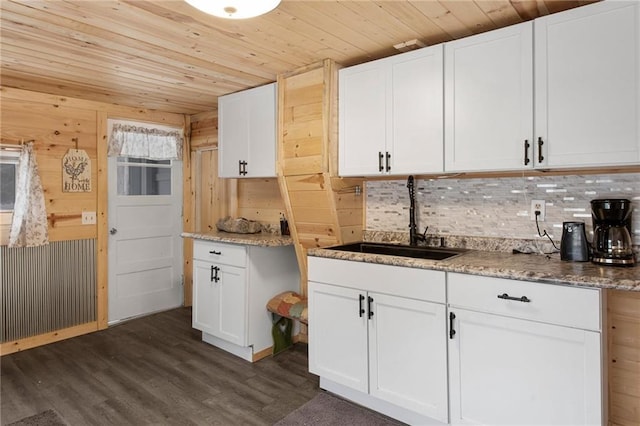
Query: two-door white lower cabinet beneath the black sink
x=390 y=348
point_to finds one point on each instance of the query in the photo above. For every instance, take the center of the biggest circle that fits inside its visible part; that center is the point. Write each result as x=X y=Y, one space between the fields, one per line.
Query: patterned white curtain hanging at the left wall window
x=29 y=227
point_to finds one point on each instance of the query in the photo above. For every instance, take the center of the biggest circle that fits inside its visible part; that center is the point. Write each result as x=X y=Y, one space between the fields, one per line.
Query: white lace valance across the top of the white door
x=156 y=144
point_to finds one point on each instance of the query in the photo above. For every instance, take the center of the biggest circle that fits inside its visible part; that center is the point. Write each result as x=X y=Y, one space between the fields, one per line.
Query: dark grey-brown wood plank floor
x=152 y=370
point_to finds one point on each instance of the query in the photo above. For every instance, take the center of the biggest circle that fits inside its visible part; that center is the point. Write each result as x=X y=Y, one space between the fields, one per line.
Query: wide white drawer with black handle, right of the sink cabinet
x=554 y=304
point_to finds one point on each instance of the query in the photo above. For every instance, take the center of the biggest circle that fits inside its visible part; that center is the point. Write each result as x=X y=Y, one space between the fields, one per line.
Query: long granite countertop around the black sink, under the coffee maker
x=530 y=267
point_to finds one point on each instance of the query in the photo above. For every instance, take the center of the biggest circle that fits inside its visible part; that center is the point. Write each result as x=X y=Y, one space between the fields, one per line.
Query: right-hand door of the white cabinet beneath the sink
x=408 y=356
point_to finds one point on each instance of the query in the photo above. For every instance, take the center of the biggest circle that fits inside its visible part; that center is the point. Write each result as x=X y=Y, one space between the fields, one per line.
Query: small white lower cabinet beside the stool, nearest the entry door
x=232 y=284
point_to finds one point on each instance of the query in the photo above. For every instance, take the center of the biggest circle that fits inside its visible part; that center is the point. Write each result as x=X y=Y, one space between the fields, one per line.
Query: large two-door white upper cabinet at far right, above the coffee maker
x=578 y=106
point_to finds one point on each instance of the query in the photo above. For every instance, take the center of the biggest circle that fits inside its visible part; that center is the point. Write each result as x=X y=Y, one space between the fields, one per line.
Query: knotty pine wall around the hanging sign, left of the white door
x=54 y=122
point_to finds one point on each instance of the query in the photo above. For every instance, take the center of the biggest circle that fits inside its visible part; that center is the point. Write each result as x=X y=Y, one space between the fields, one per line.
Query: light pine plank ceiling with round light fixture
x=168 y=56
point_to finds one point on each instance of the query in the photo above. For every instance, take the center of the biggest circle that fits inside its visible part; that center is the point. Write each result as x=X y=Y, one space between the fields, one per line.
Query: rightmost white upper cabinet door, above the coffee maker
x=588 y=85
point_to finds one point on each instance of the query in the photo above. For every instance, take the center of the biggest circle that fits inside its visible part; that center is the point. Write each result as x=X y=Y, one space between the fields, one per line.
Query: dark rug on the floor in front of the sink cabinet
x=326 y=409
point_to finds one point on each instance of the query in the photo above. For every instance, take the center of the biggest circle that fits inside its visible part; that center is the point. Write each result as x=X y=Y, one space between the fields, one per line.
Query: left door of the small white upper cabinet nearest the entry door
x=233 y=134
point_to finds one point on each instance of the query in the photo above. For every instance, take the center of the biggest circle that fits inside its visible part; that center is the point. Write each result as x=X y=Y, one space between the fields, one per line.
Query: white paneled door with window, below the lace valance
x=145 y=247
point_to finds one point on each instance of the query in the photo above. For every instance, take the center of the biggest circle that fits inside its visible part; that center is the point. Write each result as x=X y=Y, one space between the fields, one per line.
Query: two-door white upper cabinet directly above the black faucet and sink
x=391 y=115
